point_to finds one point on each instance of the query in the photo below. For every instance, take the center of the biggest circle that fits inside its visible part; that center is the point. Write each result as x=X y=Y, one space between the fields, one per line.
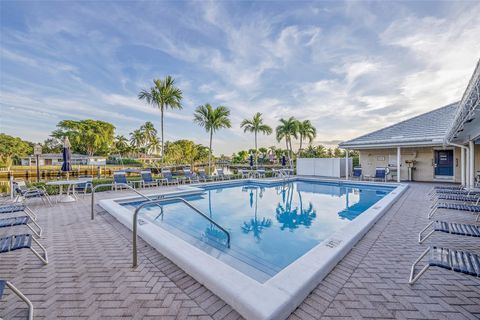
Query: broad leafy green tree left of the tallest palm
x=87 y=136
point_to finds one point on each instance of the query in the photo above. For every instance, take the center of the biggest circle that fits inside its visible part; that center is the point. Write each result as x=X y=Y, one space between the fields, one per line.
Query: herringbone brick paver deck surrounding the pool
x=90 y=276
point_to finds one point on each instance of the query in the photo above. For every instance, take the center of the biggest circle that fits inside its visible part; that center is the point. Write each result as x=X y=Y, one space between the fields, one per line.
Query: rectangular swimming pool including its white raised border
x=285 y=235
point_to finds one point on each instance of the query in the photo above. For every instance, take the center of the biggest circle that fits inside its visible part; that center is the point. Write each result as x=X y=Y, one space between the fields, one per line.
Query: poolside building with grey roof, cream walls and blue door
x=440 y=145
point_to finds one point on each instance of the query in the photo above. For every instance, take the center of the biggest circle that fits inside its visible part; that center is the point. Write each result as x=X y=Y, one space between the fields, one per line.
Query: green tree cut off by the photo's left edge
x=12 y=149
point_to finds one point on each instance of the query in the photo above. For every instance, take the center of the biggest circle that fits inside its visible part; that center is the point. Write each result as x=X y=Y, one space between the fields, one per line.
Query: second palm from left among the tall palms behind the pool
x=212 y=120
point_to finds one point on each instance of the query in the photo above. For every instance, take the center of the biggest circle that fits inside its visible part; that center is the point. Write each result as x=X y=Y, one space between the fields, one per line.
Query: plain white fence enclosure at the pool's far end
x=325 y=167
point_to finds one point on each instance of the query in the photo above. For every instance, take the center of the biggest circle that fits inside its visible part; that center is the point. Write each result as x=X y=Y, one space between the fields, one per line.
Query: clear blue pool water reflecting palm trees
x=270 y=225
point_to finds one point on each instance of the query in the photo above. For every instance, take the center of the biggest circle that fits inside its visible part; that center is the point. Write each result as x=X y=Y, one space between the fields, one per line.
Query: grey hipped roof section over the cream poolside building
x=427 y=128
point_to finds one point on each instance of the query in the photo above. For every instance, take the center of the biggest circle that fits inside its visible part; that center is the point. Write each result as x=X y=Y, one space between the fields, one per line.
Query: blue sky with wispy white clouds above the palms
x=349 y=67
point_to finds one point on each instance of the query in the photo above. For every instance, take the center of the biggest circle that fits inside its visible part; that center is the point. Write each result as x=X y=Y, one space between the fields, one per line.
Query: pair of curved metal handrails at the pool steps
x=157 y=202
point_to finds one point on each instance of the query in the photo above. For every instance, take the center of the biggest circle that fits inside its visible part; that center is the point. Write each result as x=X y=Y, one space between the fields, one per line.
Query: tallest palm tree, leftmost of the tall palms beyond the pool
x=163 y=95
